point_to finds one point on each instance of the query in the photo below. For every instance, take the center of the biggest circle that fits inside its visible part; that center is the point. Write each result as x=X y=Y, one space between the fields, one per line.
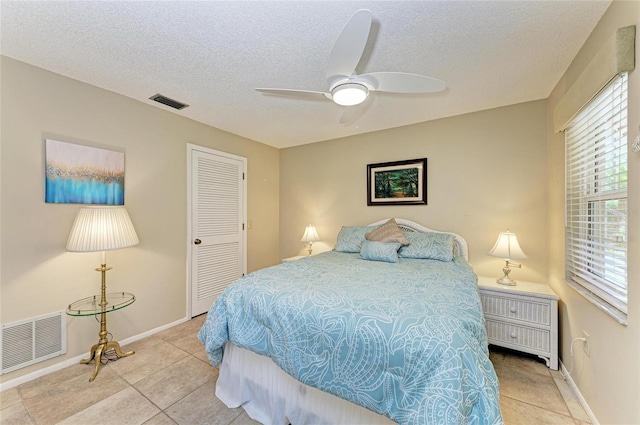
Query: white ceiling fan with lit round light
x=345 y=87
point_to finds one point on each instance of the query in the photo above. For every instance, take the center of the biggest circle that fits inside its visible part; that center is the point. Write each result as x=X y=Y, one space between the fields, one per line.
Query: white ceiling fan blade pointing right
x=401 y=82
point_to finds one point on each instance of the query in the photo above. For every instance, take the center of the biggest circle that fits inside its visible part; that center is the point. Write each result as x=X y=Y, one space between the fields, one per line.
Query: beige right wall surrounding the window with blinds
x=610 y=378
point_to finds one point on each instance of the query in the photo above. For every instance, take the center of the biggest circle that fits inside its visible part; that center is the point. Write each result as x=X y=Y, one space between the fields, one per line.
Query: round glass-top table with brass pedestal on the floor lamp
x=102 y=304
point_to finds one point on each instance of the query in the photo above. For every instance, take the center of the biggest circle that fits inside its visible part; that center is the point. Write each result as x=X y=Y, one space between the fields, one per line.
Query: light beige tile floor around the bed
x=170 y=381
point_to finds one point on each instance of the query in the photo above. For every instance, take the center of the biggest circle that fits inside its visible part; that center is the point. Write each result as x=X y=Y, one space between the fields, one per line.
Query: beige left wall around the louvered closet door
x=37 y=275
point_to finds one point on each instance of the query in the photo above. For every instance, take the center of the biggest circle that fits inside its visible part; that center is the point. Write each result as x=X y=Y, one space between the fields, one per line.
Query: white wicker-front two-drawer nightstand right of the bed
x=522 y=317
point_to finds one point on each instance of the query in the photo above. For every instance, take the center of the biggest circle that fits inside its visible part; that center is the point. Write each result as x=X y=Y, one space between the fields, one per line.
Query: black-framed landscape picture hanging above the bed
x=397 y=183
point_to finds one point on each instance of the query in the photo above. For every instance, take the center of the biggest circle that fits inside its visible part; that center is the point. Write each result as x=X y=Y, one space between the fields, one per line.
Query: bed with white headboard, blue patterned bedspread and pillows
x=373 y=332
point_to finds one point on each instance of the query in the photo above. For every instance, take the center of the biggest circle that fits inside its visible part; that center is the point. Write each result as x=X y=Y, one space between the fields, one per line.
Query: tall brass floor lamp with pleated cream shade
x=102 y=228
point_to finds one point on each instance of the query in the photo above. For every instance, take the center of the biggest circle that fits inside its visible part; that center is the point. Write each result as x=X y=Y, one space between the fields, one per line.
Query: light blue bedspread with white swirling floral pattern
x=406 y=340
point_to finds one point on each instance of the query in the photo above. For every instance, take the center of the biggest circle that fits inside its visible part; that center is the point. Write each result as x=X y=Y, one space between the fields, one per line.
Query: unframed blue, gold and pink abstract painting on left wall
x=77 y=174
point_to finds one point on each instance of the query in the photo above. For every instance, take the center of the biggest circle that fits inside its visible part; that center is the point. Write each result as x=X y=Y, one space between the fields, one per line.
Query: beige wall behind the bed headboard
x=486 y=173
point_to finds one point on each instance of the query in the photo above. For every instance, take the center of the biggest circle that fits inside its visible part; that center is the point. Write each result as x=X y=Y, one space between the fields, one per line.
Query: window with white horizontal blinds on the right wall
x=596 y=199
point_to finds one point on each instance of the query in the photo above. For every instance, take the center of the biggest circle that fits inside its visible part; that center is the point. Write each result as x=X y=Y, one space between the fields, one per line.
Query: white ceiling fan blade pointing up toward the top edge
x=350 y=45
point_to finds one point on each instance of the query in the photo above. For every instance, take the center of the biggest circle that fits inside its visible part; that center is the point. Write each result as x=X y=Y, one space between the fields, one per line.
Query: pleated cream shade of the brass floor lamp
x=101 y=228
